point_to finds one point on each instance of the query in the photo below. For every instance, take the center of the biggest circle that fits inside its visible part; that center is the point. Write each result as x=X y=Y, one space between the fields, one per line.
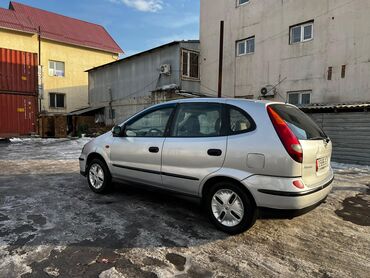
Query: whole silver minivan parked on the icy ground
x=238 y=156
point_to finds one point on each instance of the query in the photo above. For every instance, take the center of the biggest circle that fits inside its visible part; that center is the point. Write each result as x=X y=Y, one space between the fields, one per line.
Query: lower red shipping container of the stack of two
x=17 y=114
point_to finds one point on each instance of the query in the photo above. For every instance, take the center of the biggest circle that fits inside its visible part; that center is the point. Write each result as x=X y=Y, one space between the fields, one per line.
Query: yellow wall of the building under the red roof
x=77 y=60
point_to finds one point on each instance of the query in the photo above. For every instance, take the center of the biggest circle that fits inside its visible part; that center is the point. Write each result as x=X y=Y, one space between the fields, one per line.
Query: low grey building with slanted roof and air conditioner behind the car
x=122 y=88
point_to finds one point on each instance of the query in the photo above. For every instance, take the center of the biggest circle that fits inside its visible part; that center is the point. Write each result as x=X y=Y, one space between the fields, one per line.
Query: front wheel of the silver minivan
x=99 y=177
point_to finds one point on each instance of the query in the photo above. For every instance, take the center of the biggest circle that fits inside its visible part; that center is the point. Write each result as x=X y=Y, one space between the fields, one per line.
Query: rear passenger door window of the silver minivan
x=197 y=120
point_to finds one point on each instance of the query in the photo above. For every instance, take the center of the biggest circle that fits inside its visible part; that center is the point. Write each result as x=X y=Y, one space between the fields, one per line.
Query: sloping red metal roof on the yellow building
x=57 y=27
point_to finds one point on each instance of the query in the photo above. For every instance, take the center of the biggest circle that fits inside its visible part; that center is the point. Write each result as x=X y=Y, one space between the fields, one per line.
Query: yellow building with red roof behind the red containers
x=66 y=48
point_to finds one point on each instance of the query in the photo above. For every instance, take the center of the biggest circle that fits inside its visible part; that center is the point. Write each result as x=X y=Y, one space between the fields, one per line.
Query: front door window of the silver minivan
x=152 y=124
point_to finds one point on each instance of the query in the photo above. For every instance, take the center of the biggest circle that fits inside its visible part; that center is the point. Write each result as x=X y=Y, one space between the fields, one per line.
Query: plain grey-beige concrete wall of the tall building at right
x=341 y=37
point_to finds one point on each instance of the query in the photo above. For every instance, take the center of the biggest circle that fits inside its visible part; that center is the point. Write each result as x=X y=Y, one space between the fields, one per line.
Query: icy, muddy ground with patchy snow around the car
x=52 y=225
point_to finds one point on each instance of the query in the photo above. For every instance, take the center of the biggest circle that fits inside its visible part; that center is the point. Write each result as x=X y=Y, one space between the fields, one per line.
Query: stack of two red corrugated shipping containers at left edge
x=18 y=92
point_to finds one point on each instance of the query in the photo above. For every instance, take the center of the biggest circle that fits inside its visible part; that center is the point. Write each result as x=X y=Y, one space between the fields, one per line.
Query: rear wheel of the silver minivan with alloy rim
x=230 y=208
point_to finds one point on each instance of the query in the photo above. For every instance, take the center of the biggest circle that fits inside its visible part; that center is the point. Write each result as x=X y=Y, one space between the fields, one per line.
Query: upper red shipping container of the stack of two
x=18 y=71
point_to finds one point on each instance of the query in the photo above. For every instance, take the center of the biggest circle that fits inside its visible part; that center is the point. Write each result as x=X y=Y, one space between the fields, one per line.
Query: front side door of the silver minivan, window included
x=136 y=155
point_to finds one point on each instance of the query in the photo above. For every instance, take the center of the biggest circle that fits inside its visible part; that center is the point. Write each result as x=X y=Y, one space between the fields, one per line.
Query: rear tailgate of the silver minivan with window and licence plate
x=316 y=146
